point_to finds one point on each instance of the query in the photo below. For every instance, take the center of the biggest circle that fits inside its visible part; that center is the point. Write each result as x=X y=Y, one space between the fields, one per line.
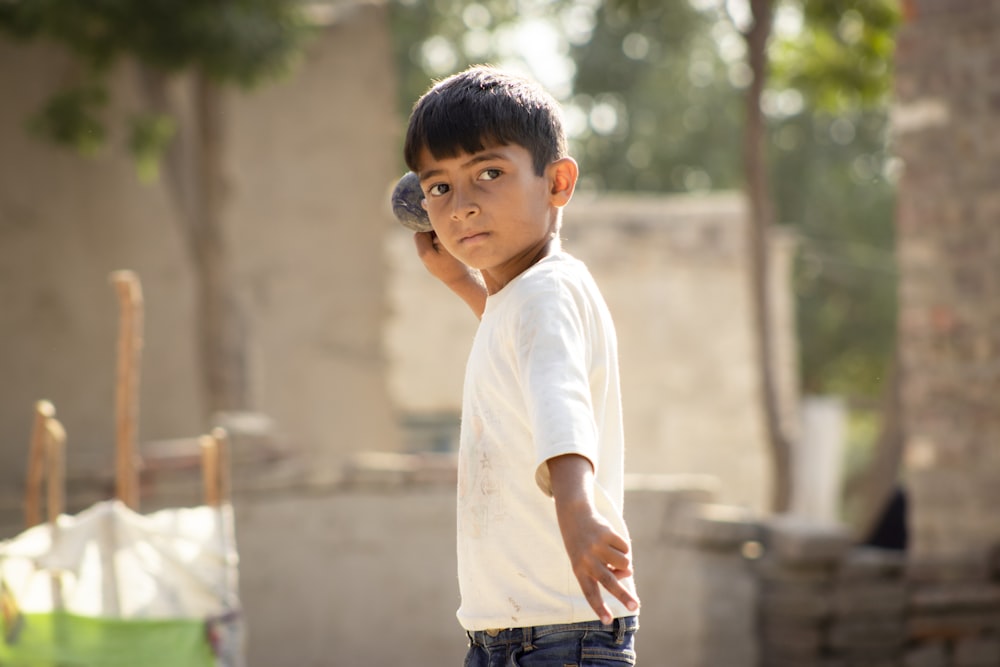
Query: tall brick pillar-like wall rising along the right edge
x=946 y=123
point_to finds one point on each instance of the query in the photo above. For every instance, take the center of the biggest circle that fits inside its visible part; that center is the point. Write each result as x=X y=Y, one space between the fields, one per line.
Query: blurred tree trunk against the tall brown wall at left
x=195 y=176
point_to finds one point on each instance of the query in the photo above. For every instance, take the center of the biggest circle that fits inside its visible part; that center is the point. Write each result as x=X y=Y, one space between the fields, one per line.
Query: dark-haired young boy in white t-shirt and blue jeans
x=544 y=561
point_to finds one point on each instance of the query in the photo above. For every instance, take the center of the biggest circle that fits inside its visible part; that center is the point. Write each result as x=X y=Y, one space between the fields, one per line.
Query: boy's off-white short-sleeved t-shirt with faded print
x=541 y=381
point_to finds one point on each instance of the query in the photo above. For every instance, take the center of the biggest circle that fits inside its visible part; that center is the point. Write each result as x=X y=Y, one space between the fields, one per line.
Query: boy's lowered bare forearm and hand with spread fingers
x=599 y=555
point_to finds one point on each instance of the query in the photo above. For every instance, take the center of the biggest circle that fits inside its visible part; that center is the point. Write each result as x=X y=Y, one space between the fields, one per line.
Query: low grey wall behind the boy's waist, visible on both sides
x=381 y=588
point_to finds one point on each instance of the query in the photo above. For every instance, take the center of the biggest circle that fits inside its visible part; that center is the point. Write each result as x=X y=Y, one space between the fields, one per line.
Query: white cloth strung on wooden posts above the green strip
x=109 y=561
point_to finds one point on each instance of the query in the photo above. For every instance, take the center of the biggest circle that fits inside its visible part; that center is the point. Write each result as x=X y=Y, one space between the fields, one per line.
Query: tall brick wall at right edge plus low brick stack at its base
x=823 y=602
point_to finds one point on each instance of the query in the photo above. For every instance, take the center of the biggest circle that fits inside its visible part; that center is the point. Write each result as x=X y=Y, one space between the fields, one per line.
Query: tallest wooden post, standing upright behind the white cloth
x=130 y=340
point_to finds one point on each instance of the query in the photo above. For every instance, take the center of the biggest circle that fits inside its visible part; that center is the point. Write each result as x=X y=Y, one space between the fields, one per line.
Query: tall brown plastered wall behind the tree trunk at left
x=307 y=176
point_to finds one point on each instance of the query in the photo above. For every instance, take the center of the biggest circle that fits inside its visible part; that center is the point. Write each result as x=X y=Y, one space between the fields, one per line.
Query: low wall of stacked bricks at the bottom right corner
x=827 y=603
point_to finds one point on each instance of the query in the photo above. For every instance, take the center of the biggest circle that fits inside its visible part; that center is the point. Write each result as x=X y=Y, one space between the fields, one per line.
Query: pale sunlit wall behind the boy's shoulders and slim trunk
x=673 y=271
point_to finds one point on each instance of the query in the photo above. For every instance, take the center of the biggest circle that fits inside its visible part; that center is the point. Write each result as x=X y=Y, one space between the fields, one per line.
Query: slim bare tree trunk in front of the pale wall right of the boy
x=761 y=216
